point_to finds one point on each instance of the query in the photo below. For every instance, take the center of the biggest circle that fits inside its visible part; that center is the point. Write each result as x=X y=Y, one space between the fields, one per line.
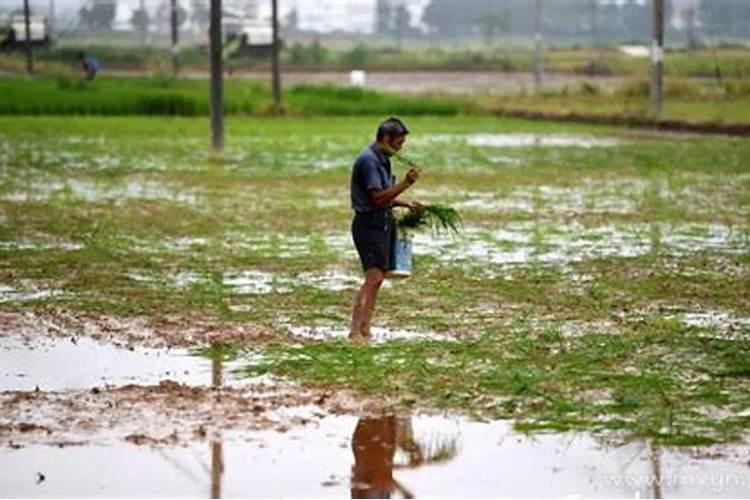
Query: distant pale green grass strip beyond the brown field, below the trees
x=731 y=61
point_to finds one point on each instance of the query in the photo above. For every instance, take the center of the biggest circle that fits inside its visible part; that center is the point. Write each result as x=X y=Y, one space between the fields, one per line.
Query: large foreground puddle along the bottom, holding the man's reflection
x=376 y=457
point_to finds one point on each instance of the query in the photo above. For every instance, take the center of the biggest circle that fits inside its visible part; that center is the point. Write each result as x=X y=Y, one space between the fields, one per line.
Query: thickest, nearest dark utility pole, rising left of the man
x=217 y=82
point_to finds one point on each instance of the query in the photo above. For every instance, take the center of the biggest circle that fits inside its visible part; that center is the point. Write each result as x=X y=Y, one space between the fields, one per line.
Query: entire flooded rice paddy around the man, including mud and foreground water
x=182 y=322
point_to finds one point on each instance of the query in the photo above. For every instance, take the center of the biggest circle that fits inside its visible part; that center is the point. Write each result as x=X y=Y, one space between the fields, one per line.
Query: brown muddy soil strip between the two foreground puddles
x=167 y=413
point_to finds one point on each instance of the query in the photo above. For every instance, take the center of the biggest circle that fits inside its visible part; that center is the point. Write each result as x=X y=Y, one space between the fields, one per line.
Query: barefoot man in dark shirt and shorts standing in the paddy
x=374 y=193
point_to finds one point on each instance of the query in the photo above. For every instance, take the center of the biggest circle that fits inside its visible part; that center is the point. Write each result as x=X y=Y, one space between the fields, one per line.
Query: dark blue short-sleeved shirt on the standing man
x=371 y=170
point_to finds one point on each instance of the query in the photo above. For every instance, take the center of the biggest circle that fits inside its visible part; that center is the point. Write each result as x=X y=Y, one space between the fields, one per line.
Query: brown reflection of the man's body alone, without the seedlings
x=374 y=446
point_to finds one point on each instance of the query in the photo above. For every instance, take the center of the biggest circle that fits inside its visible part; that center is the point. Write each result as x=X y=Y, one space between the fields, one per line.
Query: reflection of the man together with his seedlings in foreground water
x=375 y=444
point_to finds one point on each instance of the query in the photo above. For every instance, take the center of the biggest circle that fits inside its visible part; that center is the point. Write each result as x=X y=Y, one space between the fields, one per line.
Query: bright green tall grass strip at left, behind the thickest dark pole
x=162 y=95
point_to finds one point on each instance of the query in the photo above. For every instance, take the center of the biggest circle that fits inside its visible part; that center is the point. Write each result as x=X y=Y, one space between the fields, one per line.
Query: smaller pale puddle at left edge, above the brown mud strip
x=55 y=364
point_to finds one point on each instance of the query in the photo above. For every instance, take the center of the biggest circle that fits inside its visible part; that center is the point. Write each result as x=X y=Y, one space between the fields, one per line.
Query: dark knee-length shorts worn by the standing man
x=374 y=234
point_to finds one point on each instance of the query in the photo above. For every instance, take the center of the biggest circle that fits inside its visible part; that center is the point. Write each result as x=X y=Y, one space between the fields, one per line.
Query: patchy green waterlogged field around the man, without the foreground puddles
x=600 y=281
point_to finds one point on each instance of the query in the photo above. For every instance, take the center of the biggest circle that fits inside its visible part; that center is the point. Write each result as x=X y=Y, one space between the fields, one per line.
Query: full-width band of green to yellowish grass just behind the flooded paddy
x=686 y=100
